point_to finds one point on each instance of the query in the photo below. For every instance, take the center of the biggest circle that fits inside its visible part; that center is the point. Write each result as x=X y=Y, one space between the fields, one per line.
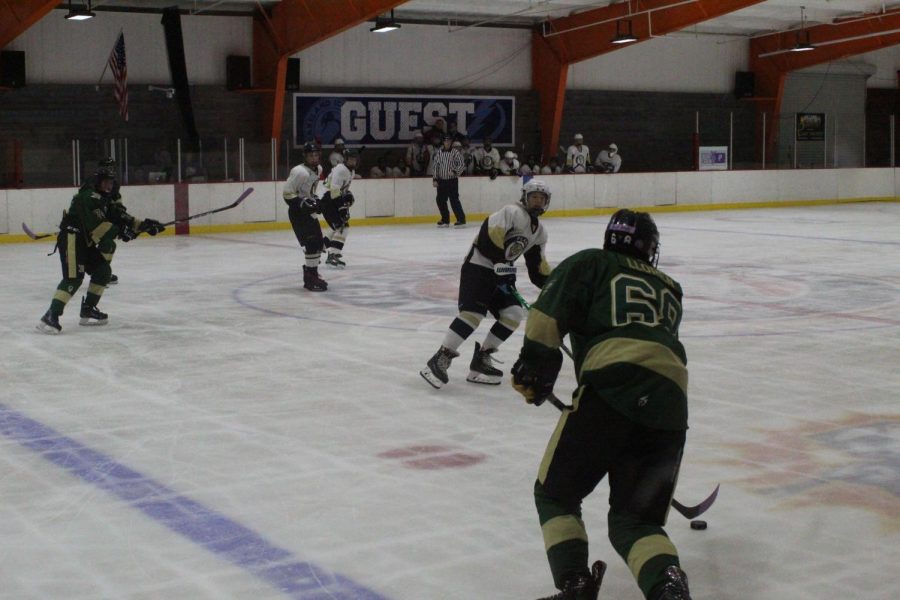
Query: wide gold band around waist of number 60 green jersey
x=650 y=355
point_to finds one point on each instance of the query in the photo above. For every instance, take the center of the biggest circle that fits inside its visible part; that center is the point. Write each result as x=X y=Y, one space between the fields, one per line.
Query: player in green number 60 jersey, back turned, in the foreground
x=629 y=413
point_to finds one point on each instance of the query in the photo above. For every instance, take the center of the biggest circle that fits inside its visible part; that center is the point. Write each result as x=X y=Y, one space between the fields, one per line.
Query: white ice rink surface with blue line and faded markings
x=231 y=435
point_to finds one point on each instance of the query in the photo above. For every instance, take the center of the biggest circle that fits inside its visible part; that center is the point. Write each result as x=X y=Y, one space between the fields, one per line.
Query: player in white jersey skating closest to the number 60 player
x=487 y=284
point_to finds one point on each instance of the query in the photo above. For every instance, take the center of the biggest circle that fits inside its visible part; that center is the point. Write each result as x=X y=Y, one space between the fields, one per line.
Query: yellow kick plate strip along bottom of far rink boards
x=475 y=218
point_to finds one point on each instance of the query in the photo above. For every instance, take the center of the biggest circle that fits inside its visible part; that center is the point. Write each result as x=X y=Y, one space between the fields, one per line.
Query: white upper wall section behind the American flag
x=62 y=51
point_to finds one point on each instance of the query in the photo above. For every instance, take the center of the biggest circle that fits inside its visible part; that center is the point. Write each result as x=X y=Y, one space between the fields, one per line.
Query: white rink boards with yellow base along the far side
x=393 y=201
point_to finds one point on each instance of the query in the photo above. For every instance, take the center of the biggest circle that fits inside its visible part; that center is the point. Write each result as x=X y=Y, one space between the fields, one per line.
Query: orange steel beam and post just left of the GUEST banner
x=293 y=26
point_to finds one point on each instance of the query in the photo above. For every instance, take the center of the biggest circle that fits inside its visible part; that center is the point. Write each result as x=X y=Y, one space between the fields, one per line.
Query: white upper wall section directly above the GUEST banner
x=421 y=56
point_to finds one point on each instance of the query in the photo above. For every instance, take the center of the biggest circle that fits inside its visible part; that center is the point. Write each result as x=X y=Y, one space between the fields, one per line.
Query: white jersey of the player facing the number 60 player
x=506 y=235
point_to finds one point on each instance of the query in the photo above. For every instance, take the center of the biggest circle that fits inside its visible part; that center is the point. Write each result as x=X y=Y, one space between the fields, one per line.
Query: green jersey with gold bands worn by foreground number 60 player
x=622 y=316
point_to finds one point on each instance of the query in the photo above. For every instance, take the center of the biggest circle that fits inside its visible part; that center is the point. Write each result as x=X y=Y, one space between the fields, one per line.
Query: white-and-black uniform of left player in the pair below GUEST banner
x=300 y=196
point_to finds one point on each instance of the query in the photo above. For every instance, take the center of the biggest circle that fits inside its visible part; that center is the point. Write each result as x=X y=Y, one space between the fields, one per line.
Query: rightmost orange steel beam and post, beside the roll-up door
x=832 y=41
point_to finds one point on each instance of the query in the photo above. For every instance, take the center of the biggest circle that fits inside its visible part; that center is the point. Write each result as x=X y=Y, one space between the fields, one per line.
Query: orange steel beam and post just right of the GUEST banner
x=567 y=40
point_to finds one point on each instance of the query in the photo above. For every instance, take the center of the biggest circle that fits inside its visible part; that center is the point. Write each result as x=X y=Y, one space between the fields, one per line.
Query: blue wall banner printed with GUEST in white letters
x=391 y=120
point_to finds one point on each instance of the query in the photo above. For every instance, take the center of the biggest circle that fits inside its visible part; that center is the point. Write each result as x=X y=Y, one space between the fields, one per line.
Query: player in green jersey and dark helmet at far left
x=86 y=244
